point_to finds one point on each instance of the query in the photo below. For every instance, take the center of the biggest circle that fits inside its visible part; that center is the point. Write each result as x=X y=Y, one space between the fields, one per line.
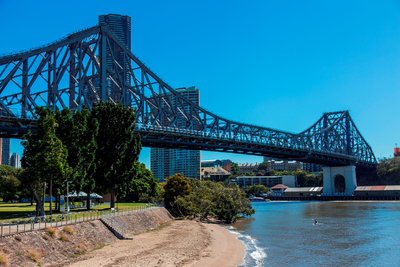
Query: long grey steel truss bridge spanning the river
x=93 y=64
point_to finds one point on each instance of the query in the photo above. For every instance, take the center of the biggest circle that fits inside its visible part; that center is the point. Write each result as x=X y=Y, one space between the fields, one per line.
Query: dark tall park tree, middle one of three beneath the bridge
x=78 y=133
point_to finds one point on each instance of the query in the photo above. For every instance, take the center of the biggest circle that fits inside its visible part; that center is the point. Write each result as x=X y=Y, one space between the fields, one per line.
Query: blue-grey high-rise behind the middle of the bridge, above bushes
x=166 y=162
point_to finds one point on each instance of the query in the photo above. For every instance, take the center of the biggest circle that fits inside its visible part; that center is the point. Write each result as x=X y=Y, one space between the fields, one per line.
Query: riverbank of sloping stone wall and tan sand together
x=158 y=240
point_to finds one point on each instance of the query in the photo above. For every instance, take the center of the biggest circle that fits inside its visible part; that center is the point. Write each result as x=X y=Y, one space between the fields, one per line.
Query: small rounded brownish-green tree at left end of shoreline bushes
x=176 y=185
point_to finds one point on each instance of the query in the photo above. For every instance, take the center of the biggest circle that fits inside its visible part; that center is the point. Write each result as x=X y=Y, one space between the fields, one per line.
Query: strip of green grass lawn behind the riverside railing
x=20 y=210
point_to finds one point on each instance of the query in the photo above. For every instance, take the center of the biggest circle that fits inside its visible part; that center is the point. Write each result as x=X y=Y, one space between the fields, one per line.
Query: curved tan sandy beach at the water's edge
x=176 y=243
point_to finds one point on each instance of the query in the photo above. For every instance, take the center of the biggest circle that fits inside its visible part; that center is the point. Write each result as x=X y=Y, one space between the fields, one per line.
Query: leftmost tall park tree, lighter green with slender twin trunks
x=44 y=154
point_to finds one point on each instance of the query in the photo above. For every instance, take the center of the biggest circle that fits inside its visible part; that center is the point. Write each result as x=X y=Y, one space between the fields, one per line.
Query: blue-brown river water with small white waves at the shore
x=347 y=234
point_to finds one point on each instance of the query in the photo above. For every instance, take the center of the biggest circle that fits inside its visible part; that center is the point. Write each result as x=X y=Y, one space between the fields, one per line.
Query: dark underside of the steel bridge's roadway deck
x=16 y=128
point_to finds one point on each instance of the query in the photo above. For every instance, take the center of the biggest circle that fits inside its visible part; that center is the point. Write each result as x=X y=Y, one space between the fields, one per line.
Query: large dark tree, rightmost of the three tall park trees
x=117 y=146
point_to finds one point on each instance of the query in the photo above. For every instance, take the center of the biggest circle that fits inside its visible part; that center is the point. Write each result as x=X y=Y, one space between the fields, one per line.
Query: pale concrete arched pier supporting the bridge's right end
x=349 y=174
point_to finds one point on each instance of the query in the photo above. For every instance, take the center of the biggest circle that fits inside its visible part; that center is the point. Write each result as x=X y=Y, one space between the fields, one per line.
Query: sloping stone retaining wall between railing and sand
x=40 y=248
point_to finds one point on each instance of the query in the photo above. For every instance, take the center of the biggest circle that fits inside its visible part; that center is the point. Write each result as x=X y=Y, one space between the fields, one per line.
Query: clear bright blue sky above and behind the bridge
x=278 y=64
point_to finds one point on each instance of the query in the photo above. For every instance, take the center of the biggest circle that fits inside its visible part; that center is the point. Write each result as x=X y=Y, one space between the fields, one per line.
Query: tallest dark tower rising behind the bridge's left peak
x=121 y=26
